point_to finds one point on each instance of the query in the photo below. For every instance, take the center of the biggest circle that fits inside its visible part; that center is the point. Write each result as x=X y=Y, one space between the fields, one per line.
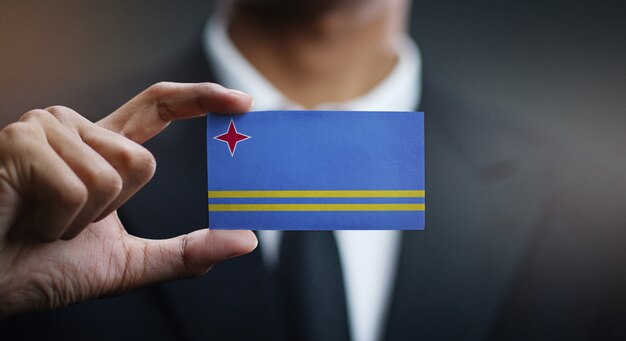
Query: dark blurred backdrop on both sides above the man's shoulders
x=559 y=64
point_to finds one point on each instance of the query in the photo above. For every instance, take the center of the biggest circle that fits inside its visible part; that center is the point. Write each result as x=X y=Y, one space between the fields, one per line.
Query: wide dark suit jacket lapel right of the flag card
x=452 y=276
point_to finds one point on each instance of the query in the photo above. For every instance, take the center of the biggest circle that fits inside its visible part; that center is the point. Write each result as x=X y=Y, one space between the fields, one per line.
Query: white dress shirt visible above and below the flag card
x=368 y=258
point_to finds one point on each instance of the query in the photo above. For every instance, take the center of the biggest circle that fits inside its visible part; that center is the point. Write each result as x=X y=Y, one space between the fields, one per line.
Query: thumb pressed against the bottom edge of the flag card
x=151 y=261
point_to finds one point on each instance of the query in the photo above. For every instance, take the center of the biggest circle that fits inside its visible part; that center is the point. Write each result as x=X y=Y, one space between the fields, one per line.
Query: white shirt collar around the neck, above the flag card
x=399 y=91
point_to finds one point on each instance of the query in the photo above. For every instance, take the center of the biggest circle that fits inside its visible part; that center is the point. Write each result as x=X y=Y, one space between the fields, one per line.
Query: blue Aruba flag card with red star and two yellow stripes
x=316 y=170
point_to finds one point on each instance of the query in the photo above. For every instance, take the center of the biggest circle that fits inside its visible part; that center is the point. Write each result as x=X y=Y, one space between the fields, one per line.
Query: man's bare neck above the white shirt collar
x=335 y=57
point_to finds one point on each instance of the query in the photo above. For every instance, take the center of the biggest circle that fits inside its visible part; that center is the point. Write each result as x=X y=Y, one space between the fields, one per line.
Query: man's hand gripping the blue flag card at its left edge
x=62 y=179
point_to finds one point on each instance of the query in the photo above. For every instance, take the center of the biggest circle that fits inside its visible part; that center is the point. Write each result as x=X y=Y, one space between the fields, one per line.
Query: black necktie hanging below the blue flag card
x=311 y=287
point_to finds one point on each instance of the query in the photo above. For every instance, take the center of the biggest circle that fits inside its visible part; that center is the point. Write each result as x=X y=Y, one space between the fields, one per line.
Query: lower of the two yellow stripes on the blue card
x=315 y=207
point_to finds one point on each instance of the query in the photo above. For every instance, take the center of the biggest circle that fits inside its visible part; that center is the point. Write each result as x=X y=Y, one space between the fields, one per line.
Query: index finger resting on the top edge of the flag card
x=152 y=110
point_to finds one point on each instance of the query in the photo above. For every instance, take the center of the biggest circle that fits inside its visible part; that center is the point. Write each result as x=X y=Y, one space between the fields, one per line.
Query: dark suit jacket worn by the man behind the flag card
x=519 y=243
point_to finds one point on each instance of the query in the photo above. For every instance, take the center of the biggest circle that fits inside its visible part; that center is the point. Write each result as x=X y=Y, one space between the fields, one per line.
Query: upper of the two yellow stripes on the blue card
x=319 y=194
